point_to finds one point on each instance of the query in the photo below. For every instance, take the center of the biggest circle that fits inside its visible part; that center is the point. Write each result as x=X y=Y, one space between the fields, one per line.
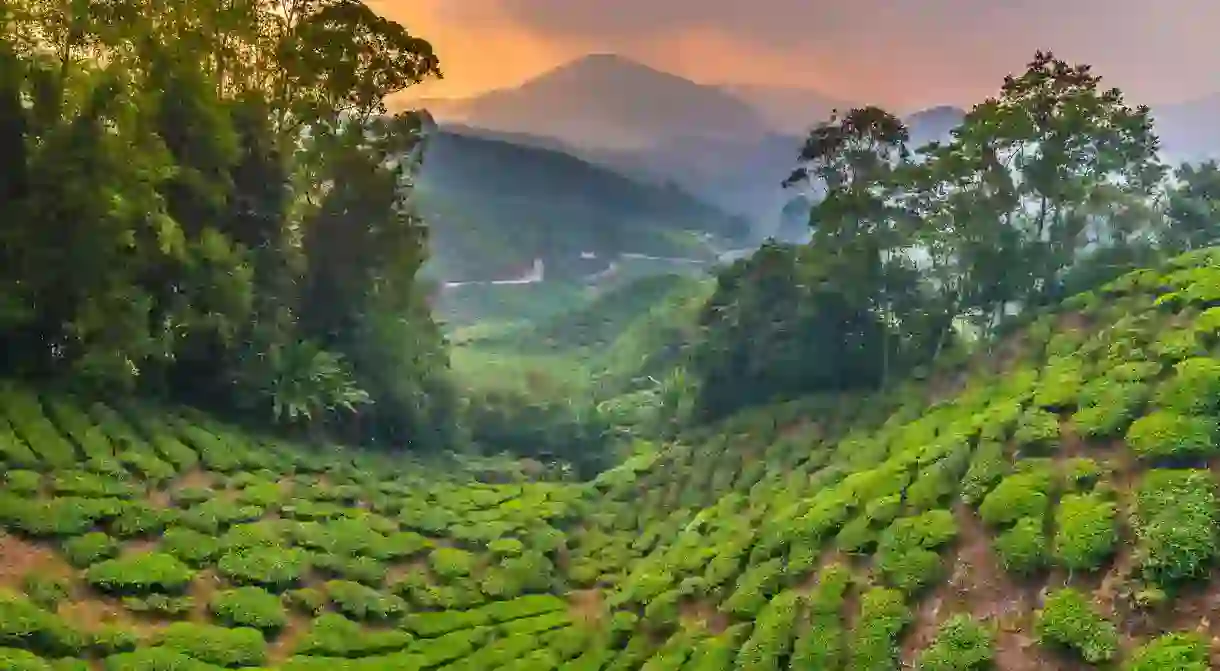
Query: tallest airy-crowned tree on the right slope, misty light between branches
x=1068 y=159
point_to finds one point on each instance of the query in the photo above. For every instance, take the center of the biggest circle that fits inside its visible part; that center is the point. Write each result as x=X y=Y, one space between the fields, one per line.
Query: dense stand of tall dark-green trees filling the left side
x=207 y=203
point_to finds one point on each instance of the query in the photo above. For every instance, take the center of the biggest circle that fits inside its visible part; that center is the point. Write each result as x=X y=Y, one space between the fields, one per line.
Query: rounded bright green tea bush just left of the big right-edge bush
x=1086 y=534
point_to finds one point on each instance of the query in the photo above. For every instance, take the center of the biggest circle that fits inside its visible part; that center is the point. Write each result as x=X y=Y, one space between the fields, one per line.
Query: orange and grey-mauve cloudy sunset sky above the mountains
x=901 y=53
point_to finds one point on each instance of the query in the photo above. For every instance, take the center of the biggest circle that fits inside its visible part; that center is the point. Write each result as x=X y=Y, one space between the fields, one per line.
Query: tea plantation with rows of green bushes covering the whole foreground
x=1050 y=506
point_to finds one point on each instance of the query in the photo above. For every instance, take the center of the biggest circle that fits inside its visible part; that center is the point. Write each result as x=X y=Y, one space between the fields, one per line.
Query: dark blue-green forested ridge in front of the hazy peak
x=495 y=207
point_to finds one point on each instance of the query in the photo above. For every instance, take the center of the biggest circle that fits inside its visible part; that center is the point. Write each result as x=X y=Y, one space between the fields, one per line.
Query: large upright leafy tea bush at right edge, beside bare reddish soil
x=1175 y=522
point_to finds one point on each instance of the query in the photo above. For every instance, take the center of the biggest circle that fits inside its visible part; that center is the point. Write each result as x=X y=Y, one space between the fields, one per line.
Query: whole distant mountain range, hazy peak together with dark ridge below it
x=609 y=146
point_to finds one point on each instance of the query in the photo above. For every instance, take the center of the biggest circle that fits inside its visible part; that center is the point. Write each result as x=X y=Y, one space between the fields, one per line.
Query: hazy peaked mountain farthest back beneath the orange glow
x=729 y=146
